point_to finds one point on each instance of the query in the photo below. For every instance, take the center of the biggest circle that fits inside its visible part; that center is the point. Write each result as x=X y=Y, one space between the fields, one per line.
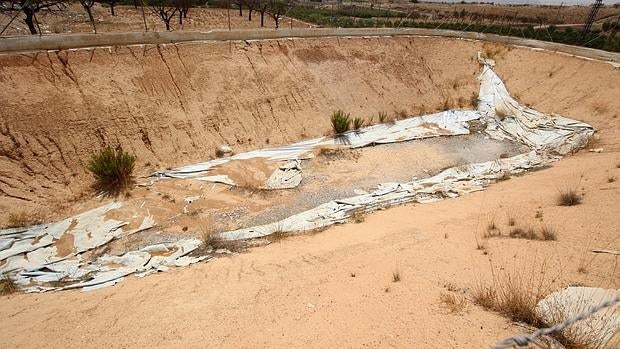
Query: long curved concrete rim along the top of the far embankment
x=9 y=45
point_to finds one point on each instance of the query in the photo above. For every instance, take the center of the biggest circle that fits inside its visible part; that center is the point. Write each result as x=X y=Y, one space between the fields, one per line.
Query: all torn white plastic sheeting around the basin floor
x=31 y=255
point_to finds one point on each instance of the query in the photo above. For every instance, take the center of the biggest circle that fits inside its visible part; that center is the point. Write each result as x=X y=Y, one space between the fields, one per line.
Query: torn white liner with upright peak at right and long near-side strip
x=546 y=135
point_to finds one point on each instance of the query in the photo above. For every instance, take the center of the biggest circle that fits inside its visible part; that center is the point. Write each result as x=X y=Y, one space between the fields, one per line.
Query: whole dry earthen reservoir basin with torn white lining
x=474 y=198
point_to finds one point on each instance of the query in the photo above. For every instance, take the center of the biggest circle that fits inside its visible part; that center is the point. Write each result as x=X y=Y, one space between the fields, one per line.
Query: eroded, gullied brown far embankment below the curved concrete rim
x=173 y=104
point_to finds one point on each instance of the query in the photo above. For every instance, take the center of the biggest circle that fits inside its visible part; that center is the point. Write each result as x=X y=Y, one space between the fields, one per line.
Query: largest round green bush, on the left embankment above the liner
x=112 y=169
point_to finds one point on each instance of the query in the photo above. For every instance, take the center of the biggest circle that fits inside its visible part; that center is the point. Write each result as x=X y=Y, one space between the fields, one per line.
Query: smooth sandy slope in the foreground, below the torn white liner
x=300 y=291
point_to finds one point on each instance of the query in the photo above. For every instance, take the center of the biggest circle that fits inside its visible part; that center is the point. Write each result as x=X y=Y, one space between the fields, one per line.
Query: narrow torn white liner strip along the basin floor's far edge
x=446 y=123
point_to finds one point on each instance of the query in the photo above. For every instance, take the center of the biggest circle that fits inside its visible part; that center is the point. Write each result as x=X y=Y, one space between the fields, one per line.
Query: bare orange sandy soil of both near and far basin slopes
x=334 y=288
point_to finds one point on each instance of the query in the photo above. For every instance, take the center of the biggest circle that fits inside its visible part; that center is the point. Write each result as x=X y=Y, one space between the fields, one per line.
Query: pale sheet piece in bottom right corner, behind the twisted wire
x=602 y=327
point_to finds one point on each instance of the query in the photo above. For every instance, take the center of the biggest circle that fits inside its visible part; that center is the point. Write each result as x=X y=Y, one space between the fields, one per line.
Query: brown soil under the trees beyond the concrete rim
x=75 y=20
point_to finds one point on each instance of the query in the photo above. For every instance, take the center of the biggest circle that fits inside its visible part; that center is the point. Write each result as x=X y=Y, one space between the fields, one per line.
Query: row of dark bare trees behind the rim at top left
x=166 y=10
